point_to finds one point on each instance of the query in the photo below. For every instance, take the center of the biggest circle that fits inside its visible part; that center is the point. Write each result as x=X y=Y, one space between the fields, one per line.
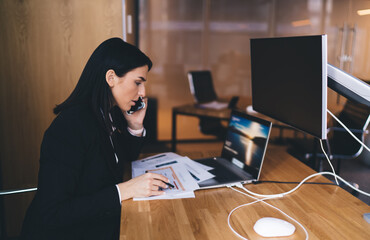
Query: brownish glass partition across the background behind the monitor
x=184 y=35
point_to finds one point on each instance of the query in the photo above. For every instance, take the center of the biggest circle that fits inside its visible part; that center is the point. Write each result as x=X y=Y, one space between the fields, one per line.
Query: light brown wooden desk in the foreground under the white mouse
x=327 y=211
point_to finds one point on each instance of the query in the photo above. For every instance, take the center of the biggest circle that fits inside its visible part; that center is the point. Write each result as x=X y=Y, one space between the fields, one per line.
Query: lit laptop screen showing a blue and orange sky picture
x=246 y=142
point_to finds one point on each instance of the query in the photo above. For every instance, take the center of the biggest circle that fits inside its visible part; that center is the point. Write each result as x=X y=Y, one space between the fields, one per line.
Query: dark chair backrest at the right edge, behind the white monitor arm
x=354 y=116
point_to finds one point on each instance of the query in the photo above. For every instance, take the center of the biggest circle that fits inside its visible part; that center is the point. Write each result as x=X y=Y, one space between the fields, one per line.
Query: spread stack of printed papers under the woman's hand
x=183 y=173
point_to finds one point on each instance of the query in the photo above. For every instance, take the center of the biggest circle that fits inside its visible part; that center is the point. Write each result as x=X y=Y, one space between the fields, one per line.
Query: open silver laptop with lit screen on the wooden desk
x=242 y=154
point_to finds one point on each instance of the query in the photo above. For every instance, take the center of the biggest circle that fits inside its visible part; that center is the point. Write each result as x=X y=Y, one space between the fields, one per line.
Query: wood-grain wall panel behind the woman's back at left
x=44 y=46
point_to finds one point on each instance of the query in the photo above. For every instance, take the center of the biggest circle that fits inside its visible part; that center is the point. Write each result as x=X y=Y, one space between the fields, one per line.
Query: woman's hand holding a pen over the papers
x=146 y=185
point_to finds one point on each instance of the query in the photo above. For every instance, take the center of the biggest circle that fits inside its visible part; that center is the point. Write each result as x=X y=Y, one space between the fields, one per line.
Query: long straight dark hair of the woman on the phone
x=92 y=88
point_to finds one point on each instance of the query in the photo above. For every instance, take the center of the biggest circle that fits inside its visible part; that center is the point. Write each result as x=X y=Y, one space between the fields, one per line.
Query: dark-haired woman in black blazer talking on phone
x=80 y=186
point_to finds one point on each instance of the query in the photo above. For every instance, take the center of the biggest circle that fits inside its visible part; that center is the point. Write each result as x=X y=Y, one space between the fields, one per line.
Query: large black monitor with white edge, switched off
x=289 y=81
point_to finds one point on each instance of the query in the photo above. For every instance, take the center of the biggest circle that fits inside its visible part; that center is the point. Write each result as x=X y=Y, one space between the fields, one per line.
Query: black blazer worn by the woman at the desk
x=77 y=197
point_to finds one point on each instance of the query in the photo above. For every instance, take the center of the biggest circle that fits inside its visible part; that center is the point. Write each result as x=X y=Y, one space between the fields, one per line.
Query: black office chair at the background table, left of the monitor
x=202 y=89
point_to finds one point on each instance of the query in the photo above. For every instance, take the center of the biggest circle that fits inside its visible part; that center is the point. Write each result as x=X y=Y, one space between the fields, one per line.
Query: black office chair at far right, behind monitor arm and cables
x=339 y=145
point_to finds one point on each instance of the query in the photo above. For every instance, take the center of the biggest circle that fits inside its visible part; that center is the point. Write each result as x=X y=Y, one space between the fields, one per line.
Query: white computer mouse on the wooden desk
x=273 y=227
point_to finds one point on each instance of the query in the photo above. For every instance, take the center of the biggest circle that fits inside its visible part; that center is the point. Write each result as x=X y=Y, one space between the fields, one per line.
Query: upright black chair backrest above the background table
x=201 y=86
